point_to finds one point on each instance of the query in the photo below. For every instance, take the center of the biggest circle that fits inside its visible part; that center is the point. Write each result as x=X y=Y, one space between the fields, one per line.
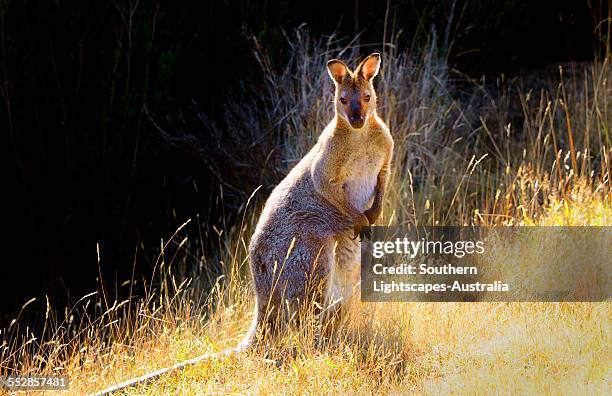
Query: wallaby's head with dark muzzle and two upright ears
x=355 y=97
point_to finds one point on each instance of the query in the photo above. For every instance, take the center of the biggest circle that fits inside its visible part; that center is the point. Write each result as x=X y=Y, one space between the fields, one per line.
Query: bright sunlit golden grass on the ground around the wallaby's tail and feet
x=423 y=348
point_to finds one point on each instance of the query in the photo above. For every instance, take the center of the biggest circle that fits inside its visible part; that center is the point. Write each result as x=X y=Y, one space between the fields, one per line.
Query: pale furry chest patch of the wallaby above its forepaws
x=362 y=169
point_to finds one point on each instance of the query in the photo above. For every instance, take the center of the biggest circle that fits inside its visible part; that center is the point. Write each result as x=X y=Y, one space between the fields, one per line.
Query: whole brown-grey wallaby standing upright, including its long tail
x=307 y=231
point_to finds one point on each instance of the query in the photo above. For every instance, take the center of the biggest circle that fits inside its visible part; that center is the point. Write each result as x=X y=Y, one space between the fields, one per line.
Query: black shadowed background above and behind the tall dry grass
x=81 y=82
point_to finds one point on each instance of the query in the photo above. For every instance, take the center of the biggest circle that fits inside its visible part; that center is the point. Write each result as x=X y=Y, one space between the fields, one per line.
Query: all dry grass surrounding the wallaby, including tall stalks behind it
x=517 y=152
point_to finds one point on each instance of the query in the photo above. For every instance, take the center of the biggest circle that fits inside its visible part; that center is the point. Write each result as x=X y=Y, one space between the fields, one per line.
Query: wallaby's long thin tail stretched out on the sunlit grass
x=242 y=346
